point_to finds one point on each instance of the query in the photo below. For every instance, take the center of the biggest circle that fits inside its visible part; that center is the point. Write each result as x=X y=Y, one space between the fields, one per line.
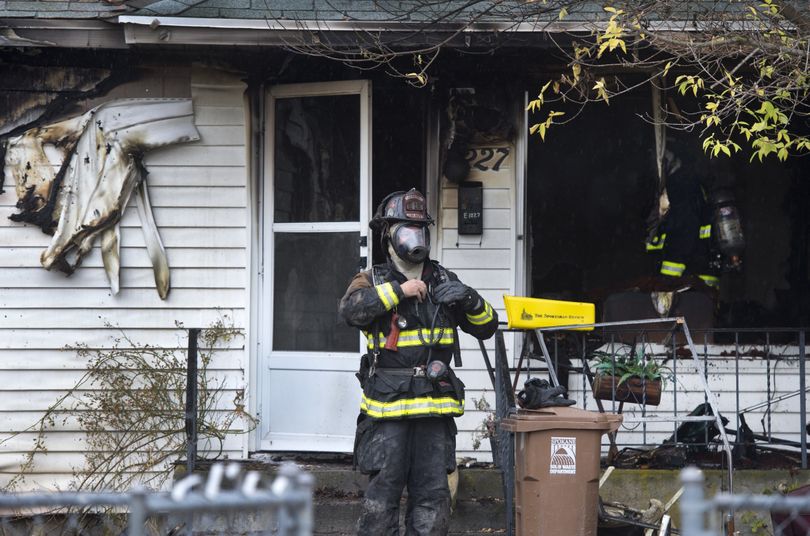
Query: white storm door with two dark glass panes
x=316 y=210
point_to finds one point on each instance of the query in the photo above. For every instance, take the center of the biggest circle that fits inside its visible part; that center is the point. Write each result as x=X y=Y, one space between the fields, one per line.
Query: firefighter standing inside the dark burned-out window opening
x=684 y=237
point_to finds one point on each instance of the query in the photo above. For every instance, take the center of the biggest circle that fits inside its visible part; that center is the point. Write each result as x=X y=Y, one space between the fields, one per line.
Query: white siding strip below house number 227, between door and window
x=486 y=263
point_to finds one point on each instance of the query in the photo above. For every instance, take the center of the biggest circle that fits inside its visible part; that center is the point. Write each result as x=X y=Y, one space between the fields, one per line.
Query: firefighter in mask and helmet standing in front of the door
x=409 y=308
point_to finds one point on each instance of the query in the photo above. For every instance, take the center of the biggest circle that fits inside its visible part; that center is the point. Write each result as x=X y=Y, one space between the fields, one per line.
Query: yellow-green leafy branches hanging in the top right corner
x=746 y=86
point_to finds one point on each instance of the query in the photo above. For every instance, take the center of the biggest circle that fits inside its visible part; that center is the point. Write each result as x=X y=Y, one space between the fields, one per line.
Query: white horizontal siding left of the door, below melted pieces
x=199 y=198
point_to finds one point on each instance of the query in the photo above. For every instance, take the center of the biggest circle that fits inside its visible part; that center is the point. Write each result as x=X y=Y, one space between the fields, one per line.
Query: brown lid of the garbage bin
x=556 y=418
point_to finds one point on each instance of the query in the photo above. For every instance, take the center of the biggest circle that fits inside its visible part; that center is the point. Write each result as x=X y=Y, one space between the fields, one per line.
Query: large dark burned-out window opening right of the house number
x=591 y=187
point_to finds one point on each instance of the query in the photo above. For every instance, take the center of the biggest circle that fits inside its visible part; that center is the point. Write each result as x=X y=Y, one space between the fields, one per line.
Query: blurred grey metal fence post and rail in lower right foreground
x=778 y=515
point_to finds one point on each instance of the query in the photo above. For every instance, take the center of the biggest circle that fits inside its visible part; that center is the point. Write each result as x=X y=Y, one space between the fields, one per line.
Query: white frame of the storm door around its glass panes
x=262 y=353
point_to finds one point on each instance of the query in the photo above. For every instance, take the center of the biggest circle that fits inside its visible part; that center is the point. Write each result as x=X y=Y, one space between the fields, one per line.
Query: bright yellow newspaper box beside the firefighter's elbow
x=532 y=313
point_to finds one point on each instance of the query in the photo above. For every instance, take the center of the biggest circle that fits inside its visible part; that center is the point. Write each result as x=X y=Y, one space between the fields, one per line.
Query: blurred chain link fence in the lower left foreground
x=229 y=502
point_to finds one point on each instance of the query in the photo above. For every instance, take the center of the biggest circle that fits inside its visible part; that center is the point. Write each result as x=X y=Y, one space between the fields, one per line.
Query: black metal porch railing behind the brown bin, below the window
x=551 y=350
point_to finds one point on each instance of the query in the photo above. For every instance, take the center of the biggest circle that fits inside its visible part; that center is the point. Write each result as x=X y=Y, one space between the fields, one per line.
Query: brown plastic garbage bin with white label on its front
x=557 y=454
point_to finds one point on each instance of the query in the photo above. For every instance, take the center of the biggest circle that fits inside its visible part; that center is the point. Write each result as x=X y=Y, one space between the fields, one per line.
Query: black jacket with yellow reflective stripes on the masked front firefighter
x=394 y=387
